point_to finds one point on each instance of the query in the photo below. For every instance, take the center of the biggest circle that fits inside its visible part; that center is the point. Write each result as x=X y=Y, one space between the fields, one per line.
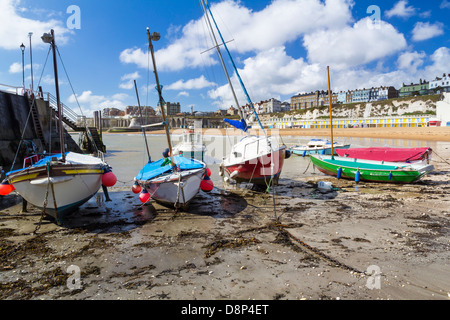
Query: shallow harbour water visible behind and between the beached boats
x=127 y=154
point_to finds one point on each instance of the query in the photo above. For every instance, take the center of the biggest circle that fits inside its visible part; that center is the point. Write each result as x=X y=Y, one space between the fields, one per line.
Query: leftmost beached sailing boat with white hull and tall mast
x=60 y=183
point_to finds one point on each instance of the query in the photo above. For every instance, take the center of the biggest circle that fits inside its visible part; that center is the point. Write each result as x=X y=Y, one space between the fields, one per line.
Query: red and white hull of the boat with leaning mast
x=262 y=170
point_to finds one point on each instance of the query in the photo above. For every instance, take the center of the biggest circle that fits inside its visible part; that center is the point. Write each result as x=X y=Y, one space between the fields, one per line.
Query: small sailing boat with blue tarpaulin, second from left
x=172 y=180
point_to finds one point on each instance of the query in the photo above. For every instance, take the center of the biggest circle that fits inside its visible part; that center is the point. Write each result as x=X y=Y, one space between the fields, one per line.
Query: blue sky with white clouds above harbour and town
x=280 y=47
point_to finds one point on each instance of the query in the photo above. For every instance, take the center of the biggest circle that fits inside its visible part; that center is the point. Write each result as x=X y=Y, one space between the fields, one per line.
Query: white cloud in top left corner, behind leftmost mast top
x=14 y=28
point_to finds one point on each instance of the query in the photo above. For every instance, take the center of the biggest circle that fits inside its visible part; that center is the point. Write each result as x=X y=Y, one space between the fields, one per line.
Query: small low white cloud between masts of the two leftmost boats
x=90 y=102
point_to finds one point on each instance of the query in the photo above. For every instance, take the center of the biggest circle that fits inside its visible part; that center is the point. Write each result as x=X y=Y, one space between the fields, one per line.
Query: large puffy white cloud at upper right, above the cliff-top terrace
x=354 y=45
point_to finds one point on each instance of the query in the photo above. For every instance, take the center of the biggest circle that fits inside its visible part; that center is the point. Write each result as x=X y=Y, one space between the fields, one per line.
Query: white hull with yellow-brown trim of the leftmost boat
x=65 y=188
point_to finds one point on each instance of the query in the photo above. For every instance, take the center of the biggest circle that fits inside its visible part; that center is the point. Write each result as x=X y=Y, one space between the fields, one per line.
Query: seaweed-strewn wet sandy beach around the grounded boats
x=362 y=241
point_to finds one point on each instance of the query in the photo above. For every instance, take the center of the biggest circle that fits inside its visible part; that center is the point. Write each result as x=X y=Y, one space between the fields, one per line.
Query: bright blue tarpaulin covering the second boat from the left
x=154 y=169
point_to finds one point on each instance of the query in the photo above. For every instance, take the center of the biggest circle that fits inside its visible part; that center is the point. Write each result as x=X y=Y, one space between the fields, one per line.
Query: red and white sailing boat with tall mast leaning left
x=254 y=159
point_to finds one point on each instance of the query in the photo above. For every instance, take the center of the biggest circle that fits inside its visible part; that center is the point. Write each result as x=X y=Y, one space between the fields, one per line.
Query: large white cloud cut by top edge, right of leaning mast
x=254 y=31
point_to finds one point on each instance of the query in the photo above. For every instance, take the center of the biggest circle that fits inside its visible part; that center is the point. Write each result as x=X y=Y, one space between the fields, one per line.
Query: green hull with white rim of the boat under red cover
x=368 y=170
